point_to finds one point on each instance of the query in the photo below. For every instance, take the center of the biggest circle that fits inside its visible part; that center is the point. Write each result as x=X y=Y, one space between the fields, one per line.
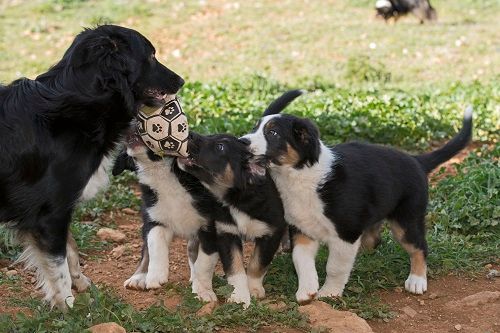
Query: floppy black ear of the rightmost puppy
x=306 y=137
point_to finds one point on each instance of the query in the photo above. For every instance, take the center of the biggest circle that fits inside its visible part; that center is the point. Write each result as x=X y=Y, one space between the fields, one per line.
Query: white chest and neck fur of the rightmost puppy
x=298 y=190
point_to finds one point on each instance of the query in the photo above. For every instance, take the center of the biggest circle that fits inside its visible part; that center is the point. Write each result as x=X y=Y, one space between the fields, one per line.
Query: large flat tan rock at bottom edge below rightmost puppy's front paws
x=323 y=315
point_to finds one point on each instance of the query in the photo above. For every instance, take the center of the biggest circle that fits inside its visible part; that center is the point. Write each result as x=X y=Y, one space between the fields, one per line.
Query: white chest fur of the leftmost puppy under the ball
x=174 y=208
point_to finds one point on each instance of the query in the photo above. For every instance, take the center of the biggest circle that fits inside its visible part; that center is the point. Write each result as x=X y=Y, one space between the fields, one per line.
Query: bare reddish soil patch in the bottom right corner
x=433 y=313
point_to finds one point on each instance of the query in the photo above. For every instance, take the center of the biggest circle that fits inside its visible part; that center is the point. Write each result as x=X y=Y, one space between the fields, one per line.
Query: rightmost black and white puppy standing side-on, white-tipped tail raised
x=340 y=196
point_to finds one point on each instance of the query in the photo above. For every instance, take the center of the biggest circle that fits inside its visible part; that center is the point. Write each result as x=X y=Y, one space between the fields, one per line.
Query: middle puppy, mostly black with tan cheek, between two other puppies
x=241 y=182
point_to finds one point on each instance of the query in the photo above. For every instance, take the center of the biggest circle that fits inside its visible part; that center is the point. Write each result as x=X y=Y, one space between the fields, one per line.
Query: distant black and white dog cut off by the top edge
x=422 y=9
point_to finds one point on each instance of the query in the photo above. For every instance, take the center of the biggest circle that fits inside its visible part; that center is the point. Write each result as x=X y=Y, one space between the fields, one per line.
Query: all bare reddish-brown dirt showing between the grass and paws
x=433 y=312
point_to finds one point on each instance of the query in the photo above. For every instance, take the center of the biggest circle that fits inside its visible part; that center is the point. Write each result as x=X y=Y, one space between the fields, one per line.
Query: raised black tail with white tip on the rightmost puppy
x=431 y=160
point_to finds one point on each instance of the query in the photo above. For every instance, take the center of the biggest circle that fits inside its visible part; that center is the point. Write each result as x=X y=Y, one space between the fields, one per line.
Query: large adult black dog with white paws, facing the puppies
x=56 y=133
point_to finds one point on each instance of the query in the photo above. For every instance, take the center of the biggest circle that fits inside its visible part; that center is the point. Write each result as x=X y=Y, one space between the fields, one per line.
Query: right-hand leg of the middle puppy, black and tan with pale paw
x=263 y=254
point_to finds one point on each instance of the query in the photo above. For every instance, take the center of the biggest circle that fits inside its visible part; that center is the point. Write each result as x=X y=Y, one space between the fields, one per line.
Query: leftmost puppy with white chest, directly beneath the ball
x=174 y=203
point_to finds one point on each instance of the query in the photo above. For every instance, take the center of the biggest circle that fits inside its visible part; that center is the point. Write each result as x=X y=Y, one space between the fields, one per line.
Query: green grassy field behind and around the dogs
x=404 y=85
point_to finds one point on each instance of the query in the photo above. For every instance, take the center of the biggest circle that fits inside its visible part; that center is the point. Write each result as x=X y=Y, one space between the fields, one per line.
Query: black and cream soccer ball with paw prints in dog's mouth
x=164 y=130
